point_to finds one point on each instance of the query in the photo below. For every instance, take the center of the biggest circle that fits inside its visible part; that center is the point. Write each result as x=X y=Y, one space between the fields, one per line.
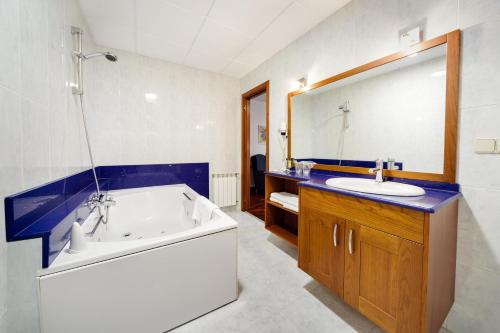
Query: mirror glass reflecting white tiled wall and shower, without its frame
x=395 y=111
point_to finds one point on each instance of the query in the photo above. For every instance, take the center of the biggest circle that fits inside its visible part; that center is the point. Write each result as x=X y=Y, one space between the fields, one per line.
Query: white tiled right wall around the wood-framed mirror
x=338 y=44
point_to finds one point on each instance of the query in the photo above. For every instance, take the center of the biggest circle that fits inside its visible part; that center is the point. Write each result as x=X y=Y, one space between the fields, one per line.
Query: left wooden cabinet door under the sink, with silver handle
x=321 y=248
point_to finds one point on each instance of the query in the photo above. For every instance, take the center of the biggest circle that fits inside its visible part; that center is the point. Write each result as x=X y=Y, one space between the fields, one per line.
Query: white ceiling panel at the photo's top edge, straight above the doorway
x=247 y=16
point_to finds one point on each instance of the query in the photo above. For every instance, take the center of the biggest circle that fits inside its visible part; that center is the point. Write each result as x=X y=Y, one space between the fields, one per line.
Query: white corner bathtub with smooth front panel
x=149 y=269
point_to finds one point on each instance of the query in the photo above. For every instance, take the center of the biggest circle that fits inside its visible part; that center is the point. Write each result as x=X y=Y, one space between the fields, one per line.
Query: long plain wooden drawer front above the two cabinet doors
x=402 y=222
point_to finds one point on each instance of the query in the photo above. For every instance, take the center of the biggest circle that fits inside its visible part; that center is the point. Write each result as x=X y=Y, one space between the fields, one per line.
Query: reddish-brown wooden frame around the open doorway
x=245 y=140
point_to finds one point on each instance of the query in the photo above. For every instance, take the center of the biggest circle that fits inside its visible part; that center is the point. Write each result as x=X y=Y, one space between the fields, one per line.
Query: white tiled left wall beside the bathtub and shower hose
x=41 y=137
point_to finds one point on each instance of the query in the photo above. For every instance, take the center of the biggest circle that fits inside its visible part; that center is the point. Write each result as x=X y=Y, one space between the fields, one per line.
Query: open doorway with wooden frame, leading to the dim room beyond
x=255 y=148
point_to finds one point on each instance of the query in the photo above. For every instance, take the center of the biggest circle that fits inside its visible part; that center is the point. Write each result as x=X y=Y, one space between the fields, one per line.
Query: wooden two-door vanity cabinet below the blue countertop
x=394 y=265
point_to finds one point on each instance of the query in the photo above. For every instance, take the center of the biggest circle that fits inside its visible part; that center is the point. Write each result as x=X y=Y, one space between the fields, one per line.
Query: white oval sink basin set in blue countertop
x=371 y=186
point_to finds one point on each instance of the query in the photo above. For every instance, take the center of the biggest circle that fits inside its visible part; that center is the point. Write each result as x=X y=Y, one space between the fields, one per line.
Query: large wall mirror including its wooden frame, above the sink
x=402 y=108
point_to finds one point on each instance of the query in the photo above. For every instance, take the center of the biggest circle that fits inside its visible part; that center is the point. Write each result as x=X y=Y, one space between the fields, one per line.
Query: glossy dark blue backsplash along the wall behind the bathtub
x=48 y=211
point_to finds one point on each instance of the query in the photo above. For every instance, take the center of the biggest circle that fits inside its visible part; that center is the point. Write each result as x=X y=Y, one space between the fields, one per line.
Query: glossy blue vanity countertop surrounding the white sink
x=436 y=195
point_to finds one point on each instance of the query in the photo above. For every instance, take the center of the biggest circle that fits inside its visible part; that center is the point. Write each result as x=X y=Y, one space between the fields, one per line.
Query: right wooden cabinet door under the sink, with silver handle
x=384 y=278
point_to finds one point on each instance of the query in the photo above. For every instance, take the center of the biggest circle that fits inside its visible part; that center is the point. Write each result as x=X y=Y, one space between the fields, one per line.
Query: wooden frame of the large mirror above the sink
x=452 y=39
